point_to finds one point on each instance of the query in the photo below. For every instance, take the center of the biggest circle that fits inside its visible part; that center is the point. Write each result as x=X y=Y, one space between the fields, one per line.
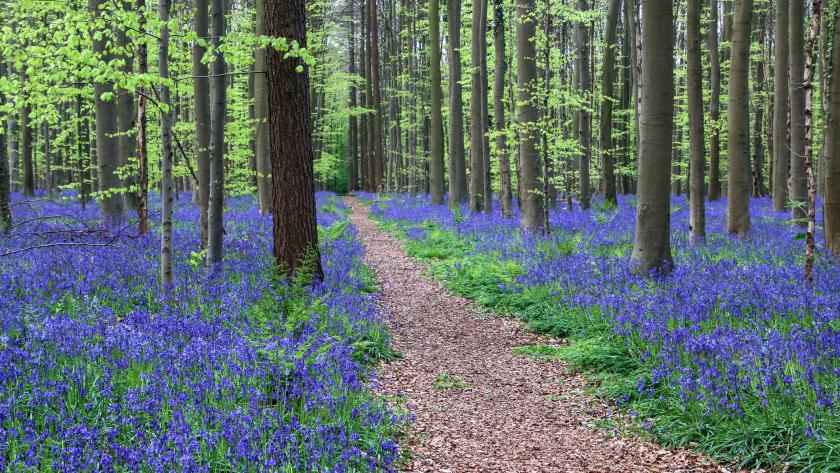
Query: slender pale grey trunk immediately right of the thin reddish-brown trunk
x=167 y=184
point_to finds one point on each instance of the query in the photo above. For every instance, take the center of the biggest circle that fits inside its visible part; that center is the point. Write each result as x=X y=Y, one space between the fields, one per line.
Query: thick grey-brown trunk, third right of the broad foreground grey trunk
x=737 y=114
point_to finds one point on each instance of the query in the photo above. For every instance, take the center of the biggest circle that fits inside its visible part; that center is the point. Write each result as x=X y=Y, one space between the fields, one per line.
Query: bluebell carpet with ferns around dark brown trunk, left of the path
x=237 y=371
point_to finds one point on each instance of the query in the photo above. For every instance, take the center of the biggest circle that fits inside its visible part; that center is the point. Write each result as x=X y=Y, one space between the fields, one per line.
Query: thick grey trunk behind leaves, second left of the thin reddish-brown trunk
x=107 y=153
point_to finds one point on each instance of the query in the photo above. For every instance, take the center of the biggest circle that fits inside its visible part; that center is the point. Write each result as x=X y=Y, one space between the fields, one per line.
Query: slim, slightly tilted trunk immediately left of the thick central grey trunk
x=499 y=109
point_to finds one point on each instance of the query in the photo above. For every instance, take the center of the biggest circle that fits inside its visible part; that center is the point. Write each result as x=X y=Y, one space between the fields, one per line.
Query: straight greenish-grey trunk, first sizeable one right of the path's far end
x=436 y=178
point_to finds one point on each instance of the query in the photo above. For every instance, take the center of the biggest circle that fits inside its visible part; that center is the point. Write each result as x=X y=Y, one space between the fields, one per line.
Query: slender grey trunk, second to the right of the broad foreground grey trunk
x=714 y=103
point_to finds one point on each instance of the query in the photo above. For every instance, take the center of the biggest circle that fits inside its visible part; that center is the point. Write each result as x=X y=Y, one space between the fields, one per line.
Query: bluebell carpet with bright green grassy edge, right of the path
x=732 y=353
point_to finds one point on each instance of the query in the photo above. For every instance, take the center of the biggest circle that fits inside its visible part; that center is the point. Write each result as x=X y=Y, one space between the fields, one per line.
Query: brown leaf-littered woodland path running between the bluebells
x=517 y=415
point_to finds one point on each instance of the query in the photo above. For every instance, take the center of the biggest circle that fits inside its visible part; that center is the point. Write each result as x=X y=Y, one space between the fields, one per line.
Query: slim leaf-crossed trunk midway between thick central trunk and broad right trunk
x=584 y=115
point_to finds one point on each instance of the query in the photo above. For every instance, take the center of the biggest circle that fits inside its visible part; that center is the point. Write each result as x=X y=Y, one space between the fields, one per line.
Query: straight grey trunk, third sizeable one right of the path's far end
x=477 y=173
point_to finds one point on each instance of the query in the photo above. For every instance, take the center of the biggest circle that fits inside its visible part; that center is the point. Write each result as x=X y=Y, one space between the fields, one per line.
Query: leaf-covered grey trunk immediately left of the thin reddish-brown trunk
x=125 y=118
